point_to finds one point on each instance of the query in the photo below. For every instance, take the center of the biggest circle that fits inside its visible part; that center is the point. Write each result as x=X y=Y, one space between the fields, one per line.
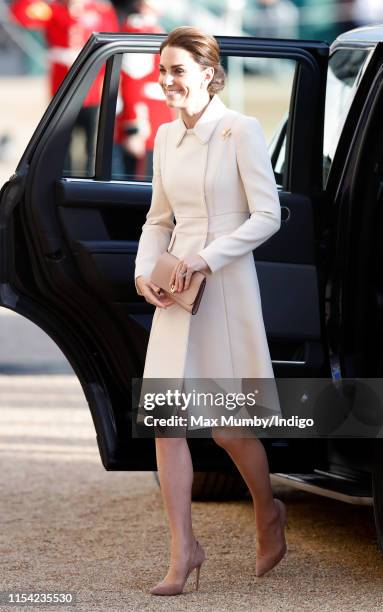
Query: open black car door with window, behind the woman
x=70 y=229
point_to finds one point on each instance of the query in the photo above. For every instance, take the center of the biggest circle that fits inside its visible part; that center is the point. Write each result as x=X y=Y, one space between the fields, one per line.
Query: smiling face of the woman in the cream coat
x=183 y=81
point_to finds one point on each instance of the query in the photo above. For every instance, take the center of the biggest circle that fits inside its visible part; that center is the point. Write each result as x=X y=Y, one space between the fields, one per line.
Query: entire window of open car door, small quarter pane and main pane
x=259 y=87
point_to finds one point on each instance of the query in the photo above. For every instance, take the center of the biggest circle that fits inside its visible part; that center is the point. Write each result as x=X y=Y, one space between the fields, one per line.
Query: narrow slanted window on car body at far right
x=345 y=70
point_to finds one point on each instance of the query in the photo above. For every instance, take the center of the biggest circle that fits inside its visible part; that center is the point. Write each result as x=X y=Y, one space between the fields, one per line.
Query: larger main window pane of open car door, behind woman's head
x=259 y=87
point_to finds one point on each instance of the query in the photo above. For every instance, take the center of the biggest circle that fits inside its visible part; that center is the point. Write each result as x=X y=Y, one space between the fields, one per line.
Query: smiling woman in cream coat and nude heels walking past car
x=210 y=169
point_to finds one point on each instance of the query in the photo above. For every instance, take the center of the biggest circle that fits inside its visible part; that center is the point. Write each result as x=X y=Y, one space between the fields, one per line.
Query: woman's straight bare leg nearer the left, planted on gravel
x=175 y=471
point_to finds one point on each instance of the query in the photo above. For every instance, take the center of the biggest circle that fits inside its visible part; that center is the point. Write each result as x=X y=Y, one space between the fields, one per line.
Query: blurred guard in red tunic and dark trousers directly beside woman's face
x=143 y=103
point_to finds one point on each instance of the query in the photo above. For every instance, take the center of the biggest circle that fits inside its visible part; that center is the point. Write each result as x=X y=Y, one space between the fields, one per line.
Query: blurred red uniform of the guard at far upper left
x=67 y=28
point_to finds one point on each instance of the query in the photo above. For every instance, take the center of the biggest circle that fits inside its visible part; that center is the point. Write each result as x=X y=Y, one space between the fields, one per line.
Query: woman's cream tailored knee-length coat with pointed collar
x=218 y=183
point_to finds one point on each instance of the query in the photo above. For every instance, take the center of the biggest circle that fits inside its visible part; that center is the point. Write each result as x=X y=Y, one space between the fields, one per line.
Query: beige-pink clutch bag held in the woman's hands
x=190 y=298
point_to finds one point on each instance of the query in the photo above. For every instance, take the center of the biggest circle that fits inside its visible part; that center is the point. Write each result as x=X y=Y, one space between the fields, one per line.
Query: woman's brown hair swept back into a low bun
x=204 y=49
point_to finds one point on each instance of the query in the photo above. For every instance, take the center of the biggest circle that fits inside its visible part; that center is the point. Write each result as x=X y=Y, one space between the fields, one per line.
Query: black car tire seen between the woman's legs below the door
x=217 y=486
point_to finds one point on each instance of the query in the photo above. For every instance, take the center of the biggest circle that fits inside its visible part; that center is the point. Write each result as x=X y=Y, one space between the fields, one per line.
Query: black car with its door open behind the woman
x=69 y=232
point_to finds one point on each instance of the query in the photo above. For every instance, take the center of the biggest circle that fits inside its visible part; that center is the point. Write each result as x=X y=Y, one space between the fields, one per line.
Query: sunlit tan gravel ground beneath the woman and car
x=68 y=525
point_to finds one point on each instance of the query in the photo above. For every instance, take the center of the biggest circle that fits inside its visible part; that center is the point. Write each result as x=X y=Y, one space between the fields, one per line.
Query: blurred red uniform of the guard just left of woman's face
x=144 y=105
